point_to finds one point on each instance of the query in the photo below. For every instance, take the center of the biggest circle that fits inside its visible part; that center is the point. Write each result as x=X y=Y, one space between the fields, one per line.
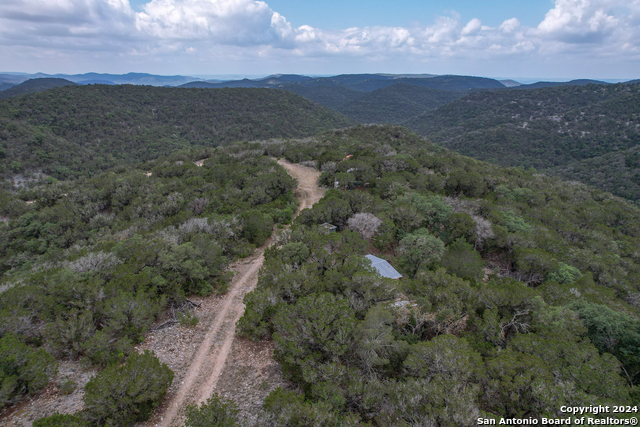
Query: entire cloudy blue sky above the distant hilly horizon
x=499 y=38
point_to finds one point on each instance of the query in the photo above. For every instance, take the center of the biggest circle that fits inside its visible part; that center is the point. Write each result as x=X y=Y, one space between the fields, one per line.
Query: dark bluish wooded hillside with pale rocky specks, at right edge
x=565 y=130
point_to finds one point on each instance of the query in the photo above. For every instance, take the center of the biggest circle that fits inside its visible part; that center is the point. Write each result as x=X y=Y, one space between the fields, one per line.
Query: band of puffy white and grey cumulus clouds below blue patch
x=251 y=29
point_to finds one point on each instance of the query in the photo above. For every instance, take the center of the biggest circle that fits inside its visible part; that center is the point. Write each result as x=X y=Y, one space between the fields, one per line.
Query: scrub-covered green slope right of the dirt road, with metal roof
x=520 y=292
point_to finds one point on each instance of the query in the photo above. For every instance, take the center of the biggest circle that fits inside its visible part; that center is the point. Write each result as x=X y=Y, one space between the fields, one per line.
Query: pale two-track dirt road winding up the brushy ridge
x=208 y=361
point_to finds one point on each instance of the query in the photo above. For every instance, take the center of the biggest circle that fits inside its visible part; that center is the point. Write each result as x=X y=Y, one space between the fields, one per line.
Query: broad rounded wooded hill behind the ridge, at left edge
x=77 y=130
